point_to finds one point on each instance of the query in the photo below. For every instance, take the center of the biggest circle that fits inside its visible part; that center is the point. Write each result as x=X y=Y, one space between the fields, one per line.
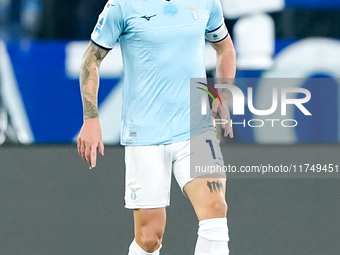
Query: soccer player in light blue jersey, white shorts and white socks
x=162 y=45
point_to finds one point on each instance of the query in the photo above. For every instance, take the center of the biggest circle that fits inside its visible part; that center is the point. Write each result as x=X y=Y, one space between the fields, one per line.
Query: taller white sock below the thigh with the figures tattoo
x=212 y=237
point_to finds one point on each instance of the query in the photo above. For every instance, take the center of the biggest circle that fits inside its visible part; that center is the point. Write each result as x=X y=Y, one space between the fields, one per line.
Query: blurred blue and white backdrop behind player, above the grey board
x=42 y=43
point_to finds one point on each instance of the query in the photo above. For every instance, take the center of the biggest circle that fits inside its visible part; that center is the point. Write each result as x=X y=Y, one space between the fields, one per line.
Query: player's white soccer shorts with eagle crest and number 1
x=149 y=168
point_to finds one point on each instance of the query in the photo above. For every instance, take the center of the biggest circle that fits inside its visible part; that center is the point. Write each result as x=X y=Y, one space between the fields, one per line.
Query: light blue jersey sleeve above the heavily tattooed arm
x=109 y=26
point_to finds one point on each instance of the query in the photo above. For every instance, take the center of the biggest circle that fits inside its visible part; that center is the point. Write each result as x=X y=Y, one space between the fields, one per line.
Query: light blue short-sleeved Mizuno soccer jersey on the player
x=162 y=45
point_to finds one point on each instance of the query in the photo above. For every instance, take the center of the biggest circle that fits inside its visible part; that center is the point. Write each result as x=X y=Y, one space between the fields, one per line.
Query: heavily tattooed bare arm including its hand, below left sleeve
x=90 y=134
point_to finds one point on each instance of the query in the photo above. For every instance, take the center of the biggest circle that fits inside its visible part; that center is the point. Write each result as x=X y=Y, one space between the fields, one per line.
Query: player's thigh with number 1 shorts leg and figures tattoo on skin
x=205 y=188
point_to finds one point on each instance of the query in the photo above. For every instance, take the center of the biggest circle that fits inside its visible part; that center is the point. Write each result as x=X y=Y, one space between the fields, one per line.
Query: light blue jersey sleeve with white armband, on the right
x=216 y=30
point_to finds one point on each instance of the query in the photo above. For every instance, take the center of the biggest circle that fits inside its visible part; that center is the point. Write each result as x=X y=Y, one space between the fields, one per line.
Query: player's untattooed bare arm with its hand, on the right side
x=225 y=71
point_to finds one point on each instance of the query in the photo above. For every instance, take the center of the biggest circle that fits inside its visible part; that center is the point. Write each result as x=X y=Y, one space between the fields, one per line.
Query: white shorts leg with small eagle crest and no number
x=148 y=177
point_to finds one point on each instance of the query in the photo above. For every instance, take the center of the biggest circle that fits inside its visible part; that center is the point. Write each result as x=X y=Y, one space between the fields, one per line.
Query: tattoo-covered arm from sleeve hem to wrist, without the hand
x=89 y=79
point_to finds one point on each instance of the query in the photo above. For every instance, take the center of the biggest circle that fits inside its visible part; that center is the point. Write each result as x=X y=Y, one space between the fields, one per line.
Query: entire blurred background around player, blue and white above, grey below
x=50 y=203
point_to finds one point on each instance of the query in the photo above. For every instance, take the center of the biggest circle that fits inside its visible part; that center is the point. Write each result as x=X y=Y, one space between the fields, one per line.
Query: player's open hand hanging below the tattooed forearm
x=89 y=139
